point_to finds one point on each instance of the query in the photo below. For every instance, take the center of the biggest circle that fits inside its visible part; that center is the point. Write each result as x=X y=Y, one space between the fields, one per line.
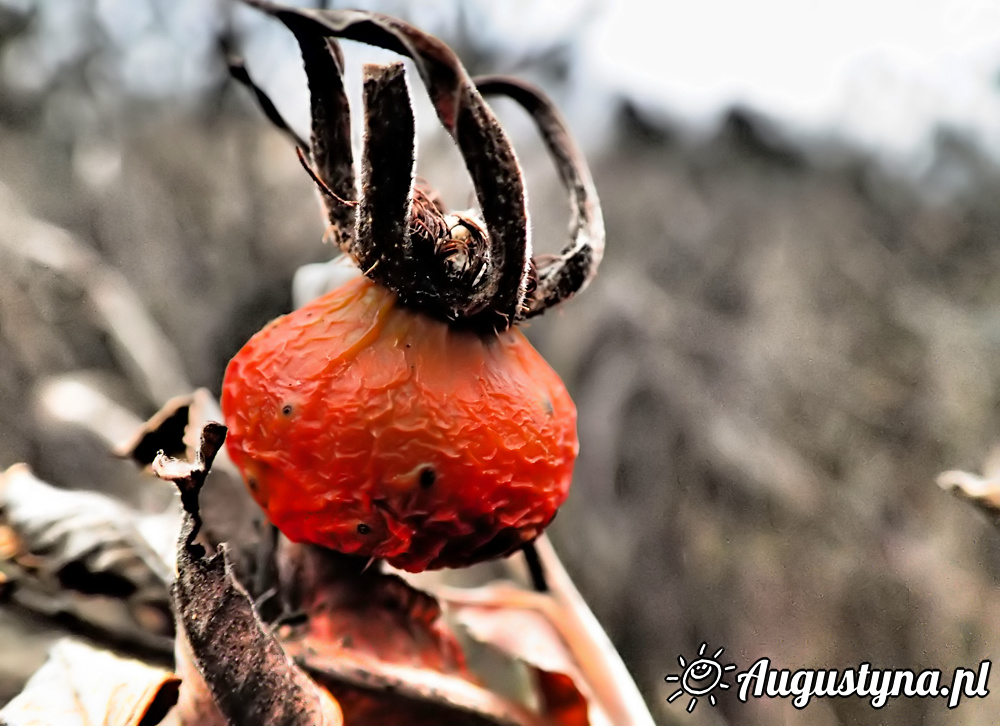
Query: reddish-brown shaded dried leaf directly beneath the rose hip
x=381 y=647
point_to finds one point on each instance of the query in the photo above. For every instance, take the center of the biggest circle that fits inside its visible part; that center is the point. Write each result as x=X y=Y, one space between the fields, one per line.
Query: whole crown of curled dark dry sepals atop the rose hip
x=467 y=271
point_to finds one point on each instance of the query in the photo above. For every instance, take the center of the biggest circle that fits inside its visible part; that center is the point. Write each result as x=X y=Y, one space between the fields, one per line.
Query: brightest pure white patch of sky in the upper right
x=878 y=71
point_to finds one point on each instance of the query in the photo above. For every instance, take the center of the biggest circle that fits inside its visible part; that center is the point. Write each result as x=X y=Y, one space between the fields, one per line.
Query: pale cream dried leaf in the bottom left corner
x=82 y=685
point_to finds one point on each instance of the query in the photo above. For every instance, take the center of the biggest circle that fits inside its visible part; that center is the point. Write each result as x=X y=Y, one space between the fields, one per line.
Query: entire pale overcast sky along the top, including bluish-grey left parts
x=878 y=72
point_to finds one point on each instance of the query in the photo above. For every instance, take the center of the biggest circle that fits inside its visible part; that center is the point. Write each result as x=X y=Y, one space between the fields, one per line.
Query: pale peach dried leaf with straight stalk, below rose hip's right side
x=556 y=633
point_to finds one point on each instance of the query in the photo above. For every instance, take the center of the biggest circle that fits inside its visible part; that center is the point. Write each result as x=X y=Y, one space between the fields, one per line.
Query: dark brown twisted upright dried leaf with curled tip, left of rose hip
x=249 y=676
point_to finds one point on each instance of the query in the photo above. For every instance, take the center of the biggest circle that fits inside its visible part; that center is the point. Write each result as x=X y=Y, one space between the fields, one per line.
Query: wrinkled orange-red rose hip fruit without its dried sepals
x=375 y=430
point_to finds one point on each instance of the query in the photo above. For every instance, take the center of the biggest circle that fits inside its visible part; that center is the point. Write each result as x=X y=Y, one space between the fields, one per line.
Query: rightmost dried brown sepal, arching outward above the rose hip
x=561 y=276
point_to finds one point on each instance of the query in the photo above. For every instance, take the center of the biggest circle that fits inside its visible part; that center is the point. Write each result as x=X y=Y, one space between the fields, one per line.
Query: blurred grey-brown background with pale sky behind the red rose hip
x=794 y=331
